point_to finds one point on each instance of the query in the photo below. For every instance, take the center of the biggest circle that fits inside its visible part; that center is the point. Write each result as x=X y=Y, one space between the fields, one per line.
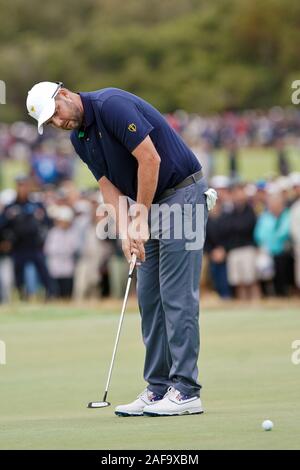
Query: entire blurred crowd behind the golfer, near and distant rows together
x=48 y=240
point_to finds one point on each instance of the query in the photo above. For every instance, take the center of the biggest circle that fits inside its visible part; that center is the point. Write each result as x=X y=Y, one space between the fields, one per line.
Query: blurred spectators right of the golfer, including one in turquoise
x=253 y=238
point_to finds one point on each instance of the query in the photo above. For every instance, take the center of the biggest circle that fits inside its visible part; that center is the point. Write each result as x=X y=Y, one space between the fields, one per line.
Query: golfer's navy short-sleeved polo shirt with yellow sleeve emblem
x=115 y=123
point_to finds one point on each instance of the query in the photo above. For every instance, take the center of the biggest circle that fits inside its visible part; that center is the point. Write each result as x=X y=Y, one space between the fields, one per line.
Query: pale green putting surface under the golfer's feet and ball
x=58 y=358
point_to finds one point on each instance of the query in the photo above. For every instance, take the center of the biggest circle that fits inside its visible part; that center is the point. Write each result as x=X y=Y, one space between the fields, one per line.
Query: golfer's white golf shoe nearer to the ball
x=174 y=403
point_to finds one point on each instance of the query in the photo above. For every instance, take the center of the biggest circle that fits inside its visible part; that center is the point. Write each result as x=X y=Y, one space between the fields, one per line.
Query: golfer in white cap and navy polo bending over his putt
x=132 y=151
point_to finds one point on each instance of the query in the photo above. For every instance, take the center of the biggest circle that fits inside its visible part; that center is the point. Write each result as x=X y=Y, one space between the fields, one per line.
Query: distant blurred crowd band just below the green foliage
x=228 y=130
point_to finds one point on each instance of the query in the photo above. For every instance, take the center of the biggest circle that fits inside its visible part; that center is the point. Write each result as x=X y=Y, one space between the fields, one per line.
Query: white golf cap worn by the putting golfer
x=41 y=102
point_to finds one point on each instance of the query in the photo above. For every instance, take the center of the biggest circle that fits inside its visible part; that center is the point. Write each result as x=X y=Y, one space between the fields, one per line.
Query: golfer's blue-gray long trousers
x=168 y=296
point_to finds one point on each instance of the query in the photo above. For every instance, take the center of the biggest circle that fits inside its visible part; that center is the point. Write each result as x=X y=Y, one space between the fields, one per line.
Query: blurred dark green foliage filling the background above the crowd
x=200 y=55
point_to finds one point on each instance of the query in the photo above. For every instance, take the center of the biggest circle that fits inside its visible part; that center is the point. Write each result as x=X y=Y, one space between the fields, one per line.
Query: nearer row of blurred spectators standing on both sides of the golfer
x=49 y=238
